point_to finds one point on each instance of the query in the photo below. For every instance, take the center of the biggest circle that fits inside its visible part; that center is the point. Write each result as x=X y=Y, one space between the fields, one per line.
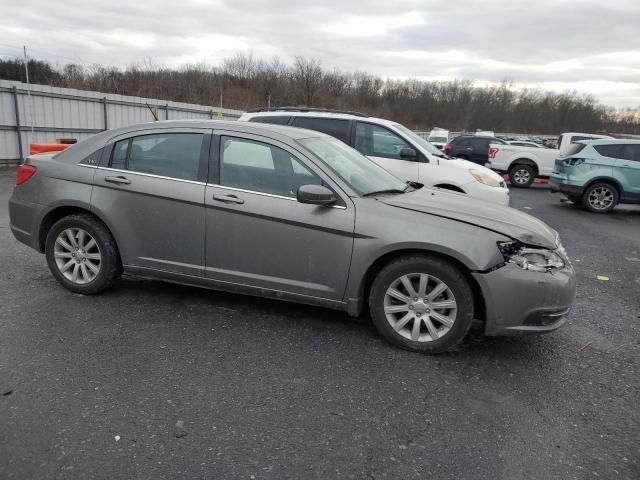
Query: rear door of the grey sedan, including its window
x=150 y=189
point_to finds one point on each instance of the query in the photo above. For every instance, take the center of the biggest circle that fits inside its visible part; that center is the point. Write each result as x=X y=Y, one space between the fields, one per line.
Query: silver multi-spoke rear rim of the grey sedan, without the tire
x=77 y=255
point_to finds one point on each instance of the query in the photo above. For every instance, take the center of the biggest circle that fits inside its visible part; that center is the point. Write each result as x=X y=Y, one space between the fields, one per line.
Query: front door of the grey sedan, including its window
x=259 y=235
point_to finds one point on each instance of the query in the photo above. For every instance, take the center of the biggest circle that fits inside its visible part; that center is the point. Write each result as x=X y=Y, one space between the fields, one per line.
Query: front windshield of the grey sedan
x=358 y=171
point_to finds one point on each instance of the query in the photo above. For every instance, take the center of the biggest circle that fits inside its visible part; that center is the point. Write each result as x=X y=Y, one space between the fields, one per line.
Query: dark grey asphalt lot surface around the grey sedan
x=152 y=380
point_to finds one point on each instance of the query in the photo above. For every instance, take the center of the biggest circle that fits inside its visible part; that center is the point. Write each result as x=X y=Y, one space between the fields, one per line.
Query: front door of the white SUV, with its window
x=383 y=146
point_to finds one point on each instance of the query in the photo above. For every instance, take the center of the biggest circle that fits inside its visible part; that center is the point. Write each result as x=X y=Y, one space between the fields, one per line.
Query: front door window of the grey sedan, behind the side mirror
x=261 y=167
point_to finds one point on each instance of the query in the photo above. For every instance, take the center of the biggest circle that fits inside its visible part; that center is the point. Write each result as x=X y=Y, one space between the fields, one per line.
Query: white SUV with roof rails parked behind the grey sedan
x=393 y=147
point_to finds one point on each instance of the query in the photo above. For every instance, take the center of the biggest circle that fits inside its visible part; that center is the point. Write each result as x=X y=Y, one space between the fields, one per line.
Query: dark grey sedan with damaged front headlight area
x=289 y=214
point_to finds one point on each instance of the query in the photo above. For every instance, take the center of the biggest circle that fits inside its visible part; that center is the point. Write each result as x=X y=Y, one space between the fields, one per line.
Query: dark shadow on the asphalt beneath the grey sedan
x=297 y=318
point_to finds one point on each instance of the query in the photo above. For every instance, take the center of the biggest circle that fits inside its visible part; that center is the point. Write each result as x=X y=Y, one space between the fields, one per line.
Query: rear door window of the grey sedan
x=174 y=155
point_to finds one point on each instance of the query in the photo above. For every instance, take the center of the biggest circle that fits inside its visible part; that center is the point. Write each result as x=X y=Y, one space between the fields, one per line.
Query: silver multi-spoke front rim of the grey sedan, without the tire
x=420 y=307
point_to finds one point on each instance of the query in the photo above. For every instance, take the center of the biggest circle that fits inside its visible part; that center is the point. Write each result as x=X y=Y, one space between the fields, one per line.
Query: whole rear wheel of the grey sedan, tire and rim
x=79 y=246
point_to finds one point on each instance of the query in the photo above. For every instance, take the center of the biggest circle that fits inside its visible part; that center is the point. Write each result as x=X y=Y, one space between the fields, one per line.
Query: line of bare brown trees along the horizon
x=243 y=82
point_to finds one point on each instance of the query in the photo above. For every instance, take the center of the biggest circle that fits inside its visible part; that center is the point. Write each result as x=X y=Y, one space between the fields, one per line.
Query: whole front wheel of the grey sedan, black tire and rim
x=413 y=269
